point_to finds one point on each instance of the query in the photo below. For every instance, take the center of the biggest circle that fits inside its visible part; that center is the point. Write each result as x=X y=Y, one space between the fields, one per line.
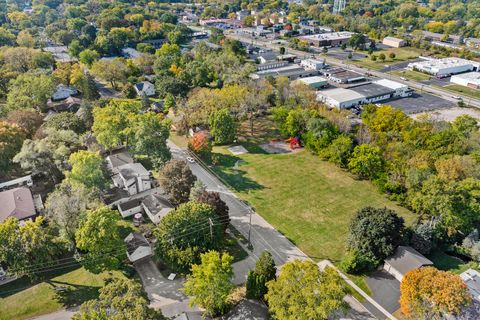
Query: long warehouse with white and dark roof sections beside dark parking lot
x=373 y=92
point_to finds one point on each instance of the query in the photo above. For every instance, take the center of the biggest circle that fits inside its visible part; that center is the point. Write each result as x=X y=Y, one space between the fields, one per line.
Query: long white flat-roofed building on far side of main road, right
x=444 y=67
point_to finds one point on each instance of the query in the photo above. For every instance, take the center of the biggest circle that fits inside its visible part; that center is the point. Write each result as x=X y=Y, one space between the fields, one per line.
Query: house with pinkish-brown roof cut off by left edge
x=17 y=203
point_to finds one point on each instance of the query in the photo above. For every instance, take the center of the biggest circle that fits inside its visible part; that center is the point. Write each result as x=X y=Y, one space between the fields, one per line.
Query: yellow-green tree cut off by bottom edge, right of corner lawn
x=119 y=299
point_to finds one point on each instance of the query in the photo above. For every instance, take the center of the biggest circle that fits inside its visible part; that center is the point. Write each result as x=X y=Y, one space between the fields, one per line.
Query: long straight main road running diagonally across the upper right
x=332 y=61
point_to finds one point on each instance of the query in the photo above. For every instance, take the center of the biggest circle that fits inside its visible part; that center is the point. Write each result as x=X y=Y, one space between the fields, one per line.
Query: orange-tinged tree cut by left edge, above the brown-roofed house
x=11 y=139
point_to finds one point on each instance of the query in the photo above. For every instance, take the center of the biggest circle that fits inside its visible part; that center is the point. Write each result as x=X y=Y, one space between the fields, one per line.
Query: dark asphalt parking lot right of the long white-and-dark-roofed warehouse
x=421 y=102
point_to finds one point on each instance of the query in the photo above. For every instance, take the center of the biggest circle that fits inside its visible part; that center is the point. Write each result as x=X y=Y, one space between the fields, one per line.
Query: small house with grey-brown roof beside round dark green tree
x=404 y=260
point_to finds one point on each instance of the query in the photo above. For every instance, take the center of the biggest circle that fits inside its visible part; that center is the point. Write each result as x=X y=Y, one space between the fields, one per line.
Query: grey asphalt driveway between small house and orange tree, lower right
x=385 y=290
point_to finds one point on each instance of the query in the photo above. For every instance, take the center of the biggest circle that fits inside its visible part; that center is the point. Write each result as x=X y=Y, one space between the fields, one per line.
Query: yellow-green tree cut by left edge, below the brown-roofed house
x=26 y=246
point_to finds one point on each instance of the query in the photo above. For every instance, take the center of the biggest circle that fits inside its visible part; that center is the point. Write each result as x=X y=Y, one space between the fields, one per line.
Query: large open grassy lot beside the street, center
x=309 y=200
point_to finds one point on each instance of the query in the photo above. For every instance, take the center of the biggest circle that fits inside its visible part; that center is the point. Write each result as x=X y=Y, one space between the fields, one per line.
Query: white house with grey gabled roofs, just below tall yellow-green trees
x=132 y=177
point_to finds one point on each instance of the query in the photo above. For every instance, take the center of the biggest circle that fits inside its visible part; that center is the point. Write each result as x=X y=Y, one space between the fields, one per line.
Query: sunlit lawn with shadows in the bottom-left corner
x=43 y=299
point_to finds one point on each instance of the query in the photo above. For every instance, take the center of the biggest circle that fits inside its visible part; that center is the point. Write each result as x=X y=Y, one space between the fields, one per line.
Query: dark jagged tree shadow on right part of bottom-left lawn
x=73 y=295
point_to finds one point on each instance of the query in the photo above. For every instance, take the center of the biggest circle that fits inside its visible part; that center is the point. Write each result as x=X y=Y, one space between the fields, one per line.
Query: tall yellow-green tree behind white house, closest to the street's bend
x=150 y=134
